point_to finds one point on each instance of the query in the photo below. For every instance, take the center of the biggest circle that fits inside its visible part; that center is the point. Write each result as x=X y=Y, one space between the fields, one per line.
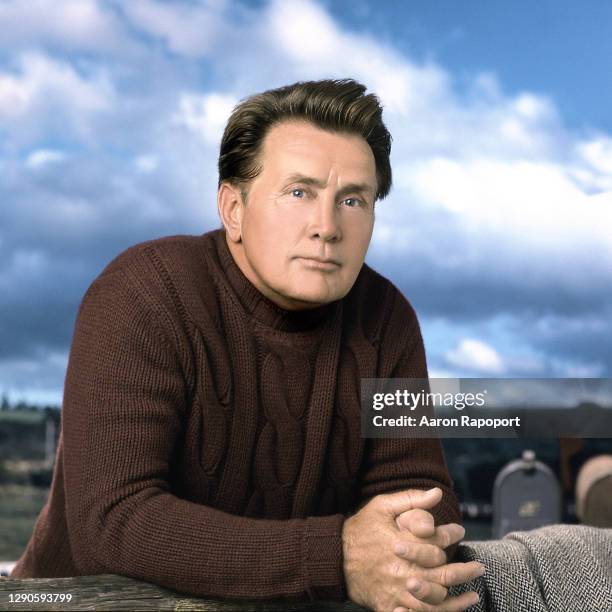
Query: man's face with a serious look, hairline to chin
x=309 y=218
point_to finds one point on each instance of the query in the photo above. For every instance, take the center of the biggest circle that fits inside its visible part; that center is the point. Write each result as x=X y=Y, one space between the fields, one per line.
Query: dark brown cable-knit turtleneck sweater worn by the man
x=211 y=440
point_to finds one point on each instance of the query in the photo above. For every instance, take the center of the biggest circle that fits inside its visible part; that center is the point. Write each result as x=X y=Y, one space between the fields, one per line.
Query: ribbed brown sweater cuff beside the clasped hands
x=322 y=555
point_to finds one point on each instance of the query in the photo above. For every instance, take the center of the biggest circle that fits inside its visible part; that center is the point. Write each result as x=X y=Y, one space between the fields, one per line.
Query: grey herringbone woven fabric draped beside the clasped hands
x=559 y=568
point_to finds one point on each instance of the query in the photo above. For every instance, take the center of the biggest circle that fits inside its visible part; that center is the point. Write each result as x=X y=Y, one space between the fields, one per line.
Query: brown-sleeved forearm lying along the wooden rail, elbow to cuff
x=157 y=537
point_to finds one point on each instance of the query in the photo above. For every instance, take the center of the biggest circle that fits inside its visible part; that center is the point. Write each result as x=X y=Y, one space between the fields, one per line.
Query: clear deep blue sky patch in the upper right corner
x=554 y=47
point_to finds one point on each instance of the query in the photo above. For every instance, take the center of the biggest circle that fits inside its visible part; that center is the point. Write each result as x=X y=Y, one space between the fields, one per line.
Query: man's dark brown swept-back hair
x=335 y=105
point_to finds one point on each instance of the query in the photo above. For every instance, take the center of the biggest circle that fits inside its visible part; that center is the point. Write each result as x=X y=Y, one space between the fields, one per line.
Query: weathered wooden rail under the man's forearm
x=110 y=592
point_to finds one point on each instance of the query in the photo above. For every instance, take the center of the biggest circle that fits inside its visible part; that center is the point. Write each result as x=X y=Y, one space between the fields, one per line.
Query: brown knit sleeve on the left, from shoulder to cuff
x=125 y=398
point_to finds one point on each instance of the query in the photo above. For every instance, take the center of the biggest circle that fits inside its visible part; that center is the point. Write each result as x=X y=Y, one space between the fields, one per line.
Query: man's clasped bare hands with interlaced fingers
x=394 y=559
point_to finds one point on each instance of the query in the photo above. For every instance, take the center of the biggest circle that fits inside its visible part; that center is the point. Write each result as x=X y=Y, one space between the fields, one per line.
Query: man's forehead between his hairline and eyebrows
x=301 y=146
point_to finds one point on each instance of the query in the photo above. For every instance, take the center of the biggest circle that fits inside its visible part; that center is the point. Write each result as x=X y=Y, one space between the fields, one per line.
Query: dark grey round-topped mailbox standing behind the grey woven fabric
x=526 y=495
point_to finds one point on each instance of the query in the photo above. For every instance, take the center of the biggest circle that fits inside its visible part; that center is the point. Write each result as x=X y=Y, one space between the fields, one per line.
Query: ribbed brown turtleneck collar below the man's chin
x=262 y=308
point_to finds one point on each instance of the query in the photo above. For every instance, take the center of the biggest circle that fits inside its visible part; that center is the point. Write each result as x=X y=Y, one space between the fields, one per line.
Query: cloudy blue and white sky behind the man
x=499 y=225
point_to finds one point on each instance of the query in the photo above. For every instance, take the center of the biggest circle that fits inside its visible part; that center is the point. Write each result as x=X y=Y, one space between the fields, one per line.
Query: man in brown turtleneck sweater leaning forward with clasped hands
x=211 y=418
